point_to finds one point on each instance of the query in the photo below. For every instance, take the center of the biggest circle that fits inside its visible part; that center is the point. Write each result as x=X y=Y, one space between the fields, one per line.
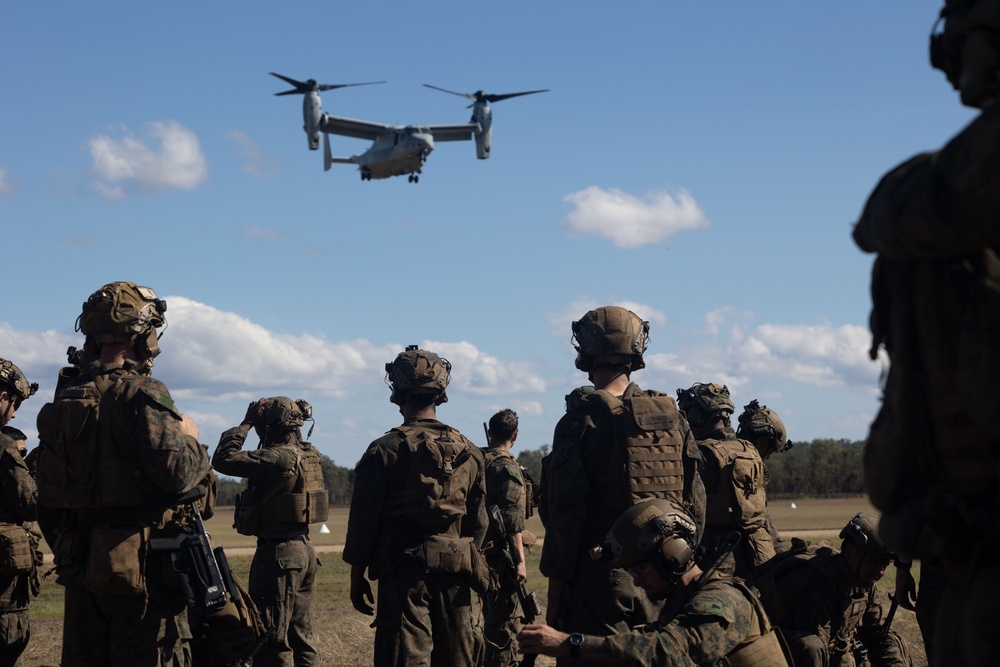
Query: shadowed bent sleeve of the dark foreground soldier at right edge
x=938 y=205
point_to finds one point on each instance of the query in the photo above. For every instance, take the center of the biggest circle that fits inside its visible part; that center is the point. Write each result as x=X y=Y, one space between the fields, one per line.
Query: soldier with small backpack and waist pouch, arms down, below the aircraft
x=417 y=523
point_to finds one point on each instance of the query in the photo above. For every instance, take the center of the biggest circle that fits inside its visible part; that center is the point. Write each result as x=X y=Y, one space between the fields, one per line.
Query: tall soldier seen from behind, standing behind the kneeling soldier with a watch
x=619 y=445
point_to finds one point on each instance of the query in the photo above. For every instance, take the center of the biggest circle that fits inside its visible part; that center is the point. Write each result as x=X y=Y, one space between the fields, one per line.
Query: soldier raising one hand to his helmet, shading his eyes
x=285 y=493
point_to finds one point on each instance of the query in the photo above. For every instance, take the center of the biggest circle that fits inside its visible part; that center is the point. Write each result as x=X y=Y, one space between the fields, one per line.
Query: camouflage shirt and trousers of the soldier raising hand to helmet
x=284 y=567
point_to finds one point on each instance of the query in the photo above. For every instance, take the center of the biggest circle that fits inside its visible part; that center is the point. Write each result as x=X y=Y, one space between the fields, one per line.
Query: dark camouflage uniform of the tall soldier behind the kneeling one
x=582 y=499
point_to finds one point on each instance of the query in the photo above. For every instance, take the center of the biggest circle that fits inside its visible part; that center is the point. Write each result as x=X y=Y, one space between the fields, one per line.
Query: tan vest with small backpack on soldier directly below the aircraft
x=442 y=466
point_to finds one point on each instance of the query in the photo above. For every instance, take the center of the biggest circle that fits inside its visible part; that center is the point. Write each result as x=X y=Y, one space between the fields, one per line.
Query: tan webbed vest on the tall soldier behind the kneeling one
x=649 y=446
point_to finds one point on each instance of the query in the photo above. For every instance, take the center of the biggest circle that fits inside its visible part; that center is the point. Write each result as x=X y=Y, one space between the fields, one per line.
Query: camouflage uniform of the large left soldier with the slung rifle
x=147 y=625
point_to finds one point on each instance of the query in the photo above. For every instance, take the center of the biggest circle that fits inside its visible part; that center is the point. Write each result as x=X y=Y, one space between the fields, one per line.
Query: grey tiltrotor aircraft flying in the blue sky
x=396 y=149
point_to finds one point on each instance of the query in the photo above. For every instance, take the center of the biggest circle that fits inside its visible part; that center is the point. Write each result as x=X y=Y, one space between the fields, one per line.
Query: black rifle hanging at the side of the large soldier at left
x=197 y=565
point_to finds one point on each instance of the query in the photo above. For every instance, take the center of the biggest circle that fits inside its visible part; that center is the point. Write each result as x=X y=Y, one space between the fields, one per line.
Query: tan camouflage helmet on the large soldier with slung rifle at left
x=122 y=312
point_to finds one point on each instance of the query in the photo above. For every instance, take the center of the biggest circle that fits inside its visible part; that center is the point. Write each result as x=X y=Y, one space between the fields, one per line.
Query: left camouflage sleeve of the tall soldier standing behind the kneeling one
x=567 y=492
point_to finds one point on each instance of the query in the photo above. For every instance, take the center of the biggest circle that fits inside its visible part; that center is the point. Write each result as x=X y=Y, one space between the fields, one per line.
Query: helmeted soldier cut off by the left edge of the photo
x=18 y=507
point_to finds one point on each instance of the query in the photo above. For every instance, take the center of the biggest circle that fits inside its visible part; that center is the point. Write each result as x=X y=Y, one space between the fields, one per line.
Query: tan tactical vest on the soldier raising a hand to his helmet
x=305 y=502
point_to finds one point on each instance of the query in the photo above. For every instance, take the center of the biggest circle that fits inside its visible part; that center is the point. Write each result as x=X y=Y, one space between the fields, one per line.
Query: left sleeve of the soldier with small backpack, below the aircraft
x=370 y=487
